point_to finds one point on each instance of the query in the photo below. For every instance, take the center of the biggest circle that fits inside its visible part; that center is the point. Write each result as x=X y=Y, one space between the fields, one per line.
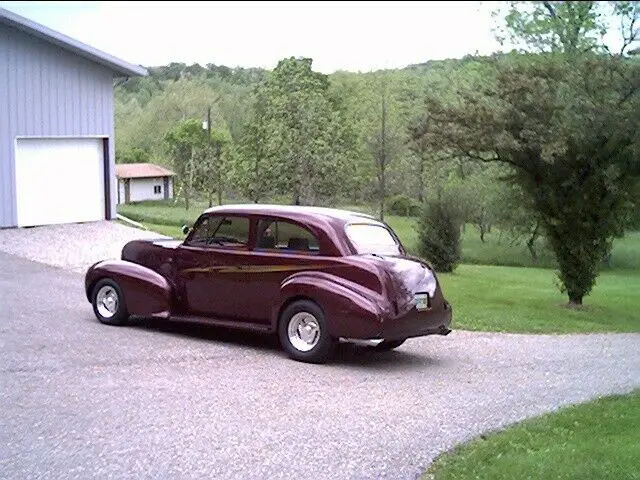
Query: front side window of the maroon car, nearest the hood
x=221 y=231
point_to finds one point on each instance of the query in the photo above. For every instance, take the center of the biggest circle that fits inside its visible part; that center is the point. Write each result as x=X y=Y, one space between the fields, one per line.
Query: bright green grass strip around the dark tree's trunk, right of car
x=526 y=300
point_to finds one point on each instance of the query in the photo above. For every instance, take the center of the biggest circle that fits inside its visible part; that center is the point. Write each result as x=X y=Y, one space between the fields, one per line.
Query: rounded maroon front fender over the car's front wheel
x=146 y=292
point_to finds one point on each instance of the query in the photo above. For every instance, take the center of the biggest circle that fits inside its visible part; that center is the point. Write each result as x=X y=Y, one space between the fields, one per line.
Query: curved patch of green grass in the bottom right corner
x=594 y=440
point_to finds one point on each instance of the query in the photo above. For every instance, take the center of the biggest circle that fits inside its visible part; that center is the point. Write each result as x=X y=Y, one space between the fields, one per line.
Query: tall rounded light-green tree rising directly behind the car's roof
x=309 y=141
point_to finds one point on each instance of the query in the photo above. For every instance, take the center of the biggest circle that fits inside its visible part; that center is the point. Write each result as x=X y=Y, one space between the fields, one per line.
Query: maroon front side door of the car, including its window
x=210 y=267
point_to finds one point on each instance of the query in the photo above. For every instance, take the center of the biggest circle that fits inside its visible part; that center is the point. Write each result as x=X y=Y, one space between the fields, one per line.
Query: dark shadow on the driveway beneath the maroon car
x=346 y=355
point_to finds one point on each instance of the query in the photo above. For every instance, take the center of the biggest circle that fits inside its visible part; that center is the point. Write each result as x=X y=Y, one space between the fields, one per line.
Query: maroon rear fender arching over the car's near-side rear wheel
x=350 y=309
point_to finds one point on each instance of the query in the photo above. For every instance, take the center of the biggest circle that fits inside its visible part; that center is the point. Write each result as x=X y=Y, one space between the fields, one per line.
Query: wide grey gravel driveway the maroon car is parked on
x=83 y=400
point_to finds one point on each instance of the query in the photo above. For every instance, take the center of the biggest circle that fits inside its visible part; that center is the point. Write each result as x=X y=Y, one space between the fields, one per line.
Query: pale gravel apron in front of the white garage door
x=74 y=246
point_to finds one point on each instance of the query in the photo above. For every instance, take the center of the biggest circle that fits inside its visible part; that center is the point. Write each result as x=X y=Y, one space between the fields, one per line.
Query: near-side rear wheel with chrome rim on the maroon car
x=304 y=334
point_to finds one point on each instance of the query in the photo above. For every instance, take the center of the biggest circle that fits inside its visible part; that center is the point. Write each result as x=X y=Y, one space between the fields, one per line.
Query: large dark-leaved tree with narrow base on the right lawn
x=568 y=131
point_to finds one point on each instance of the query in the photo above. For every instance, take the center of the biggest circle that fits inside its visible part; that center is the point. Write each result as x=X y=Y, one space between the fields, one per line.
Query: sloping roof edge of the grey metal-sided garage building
x=67 y=43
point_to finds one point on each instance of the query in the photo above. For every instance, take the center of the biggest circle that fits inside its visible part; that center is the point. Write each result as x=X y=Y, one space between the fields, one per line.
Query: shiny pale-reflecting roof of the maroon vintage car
x=295 y=211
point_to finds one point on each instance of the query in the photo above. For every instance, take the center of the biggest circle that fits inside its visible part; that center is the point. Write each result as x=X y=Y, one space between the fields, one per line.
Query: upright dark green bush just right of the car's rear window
x=439 y=234
